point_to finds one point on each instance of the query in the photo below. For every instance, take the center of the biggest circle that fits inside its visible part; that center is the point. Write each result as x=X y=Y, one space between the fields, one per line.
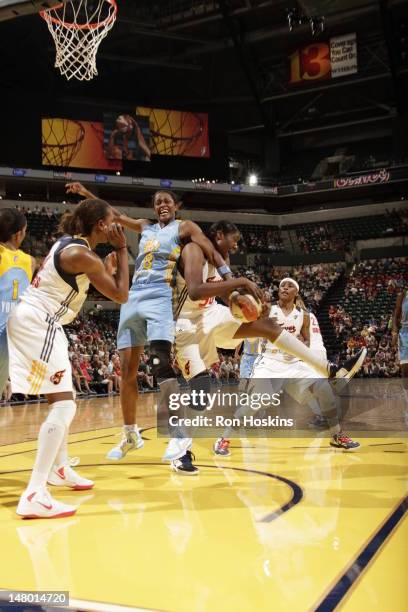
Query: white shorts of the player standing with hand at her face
x=38 y=353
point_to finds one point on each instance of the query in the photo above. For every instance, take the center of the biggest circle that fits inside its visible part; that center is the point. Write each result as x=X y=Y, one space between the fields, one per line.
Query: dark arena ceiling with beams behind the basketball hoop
x=230 y=57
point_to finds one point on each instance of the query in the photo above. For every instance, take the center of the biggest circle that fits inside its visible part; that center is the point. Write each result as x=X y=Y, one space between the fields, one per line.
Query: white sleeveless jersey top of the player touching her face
x=55 y=292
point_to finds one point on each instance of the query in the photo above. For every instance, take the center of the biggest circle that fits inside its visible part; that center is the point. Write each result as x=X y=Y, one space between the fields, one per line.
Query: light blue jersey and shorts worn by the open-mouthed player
x=148 y=314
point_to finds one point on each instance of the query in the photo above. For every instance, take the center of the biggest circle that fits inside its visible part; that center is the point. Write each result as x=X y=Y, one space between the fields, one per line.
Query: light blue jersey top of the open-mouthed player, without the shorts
x=159 y=251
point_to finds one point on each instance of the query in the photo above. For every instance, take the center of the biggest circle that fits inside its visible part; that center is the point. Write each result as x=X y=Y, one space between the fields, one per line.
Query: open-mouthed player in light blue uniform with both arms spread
x=148 y=315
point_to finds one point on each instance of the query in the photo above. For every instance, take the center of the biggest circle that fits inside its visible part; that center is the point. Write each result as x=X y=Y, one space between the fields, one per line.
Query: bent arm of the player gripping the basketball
x=192 y=260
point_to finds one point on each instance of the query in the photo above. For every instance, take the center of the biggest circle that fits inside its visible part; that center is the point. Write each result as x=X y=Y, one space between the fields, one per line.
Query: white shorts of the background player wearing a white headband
x=281 y=372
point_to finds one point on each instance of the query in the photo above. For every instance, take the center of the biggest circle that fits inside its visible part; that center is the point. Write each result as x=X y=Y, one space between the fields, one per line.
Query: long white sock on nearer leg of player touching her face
x=50 y=439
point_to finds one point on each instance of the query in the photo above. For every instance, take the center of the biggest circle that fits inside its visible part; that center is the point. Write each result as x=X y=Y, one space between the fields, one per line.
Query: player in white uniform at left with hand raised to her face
x=39 y=361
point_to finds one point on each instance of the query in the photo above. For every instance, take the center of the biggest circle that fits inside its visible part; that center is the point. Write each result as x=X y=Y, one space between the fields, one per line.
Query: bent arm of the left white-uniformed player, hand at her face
x=78 y=260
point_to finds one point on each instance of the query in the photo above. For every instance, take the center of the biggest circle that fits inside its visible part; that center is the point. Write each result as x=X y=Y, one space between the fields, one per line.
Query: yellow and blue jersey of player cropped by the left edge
x=15 y=276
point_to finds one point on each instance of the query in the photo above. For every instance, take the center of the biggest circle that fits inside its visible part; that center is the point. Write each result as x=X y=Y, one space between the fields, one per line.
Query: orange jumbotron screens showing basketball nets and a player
x=133 y=134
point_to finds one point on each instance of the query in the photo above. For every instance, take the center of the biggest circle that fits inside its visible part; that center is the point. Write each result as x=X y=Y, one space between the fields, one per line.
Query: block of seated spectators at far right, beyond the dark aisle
x=364 y=315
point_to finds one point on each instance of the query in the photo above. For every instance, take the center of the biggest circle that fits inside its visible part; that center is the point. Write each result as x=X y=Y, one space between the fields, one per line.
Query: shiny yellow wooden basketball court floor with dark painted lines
x=279 y=525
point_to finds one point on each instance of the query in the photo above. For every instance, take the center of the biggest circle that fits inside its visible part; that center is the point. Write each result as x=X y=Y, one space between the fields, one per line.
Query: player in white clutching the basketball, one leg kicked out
x=203 y=325
